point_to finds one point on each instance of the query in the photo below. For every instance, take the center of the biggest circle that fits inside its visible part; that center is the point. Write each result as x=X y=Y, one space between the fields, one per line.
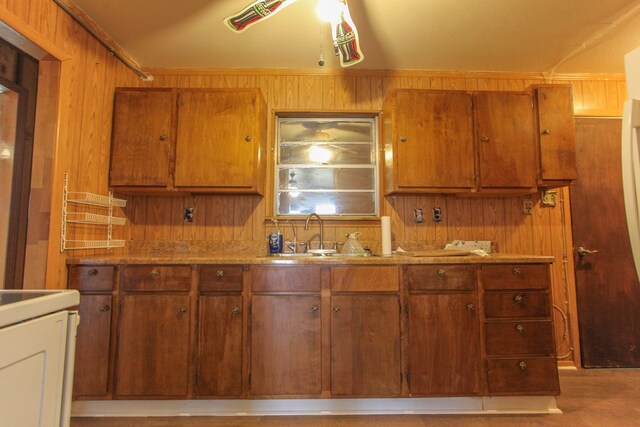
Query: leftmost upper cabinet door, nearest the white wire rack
x=141 y=139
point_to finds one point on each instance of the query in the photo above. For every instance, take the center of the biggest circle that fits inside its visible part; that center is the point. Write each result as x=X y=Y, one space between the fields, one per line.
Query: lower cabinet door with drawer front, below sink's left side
x=286 y=331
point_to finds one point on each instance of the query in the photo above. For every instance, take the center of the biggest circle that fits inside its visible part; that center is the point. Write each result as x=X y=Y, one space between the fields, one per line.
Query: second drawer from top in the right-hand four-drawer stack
x=517 y=304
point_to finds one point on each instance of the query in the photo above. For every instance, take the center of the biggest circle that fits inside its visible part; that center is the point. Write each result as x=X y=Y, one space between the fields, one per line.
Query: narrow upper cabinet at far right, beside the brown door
x=556 y=134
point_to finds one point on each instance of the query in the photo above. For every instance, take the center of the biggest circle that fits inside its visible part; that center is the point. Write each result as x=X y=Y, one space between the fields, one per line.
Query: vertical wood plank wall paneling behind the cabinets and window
x=87 y=82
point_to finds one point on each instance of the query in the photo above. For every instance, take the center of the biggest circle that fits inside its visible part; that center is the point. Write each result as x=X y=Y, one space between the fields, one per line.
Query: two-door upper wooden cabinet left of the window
x=189 y=140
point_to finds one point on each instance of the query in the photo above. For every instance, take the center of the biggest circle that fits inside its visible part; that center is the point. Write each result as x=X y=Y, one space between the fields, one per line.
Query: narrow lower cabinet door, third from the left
x=220 y=346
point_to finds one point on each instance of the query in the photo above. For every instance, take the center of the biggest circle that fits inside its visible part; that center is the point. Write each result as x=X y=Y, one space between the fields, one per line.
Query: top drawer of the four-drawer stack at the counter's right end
x=515 y=276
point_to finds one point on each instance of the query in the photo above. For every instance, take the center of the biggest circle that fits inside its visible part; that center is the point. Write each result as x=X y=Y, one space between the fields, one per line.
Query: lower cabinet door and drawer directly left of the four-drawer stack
x=444 y=330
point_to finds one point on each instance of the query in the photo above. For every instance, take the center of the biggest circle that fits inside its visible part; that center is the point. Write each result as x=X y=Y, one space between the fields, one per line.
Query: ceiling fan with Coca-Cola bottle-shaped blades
x=346 y=44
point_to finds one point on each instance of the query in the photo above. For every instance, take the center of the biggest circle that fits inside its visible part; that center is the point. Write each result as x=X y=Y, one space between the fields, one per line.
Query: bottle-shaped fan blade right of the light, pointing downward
x=345 y=37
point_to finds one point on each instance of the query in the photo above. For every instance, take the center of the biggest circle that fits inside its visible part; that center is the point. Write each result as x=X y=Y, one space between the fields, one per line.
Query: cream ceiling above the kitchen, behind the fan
x=562 y=36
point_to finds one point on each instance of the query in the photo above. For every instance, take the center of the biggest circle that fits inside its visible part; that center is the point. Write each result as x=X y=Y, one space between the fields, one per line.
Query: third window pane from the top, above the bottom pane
x=327 y=179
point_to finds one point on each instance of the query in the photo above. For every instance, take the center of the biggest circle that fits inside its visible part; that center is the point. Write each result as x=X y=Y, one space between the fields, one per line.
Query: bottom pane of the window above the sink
x=325 y=203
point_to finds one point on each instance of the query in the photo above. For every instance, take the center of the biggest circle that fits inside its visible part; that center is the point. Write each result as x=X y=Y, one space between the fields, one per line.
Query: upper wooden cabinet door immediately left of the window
x=217 y=144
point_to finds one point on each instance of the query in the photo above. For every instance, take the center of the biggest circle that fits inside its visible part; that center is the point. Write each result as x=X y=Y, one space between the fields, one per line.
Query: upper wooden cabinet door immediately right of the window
x=434 y=139
